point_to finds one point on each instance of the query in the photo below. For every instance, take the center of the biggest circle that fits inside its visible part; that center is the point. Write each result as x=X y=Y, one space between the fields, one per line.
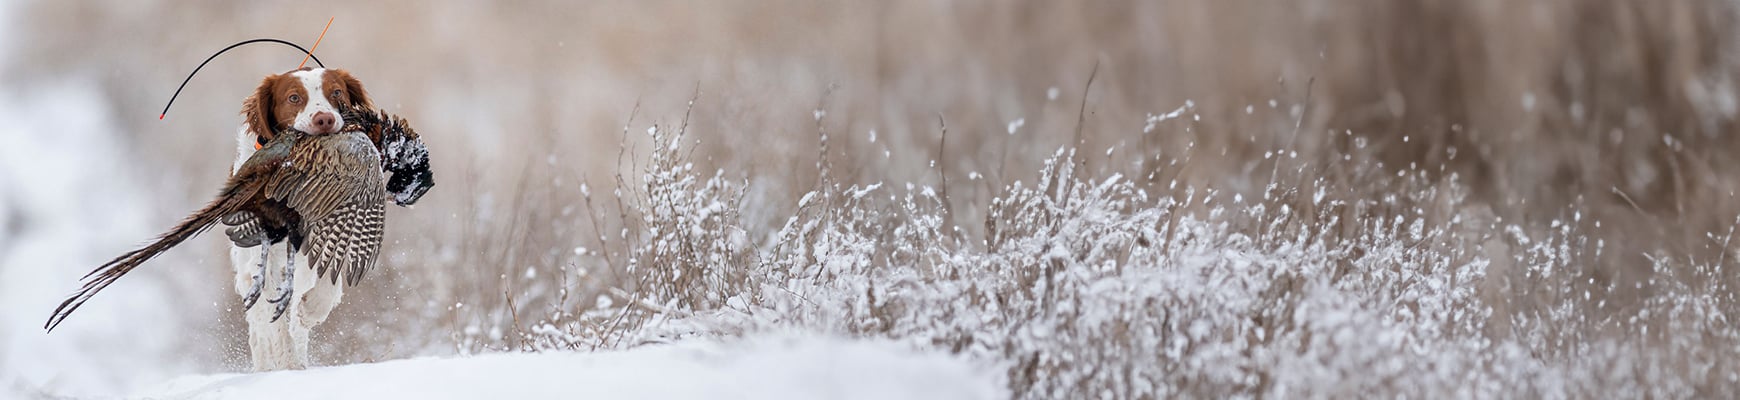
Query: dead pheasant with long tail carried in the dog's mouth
x=326 y=196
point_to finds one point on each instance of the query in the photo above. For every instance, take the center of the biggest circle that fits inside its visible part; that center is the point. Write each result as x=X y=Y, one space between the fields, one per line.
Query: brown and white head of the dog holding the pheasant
x=307 y=100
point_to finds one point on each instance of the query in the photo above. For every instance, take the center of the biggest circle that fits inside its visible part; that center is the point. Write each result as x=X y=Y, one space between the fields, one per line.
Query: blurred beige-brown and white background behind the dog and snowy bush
x=1623 y=110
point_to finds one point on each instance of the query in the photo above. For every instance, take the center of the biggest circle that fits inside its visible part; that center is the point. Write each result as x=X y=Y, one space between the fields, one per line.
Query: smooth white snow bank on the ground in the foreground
x=779 y=366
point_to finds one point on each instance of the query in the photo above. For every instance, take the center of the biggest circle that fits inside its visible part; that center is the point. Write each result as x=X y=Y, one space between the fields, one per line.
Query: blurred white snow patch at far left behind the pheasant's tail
x=46 y=182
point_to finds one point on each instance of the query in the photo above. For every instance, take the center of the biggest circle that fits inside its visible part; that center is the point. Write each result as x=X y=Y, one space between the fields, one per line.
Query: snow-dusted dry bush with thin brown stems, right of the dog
x=1092 y=286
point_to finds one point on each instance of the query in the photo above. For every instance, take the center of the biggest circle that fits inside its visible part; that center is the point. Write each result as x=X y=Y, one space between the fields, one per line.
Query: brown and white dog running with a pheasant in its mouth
x=311 y=100
